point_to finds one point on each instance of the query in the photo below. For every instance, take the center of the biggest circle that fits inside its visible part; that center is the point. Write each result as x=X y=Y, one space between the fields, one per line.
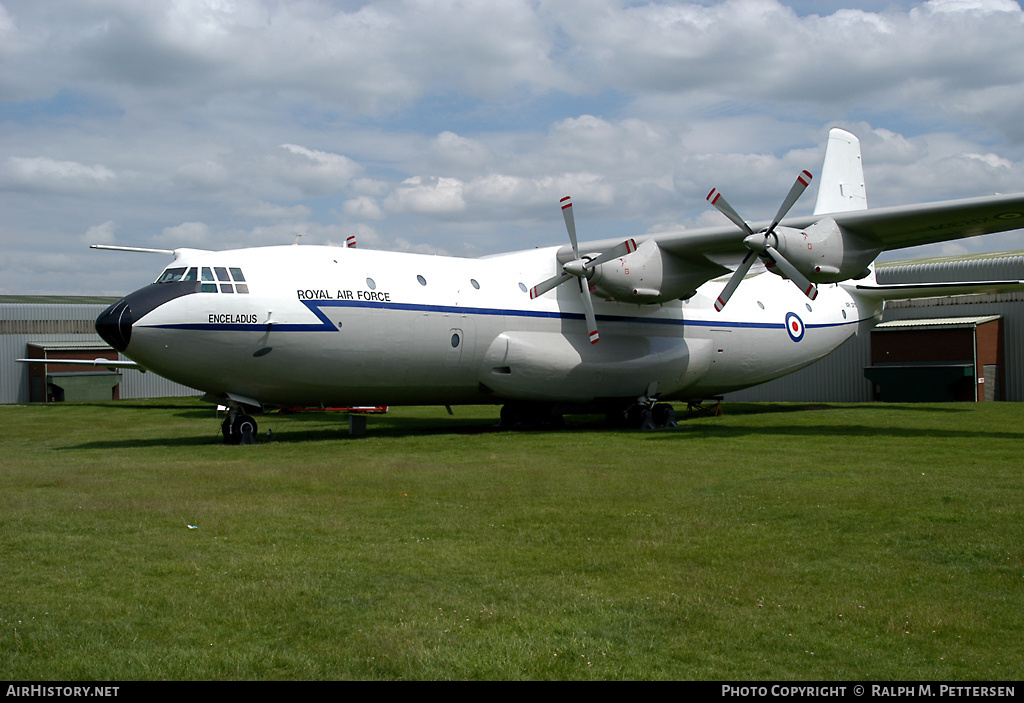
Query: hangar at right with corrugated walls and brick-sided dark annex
x=942 y=326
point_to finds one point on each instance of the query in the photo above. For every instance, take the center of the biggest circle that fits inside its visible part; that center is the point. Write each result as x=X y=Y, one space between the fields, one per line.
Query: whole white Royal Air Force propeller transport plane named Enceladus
x=614 y=325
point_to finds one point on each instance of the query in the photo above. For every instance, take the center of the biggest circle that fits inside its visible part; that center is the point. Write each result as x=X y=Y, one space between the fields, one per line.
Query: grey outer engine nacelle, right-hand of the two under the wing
x=825 y=252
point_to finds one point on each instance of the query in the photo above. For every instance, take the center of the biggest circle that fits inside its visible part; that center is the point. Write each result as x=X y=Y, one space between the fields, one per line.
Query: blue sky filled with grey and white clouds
x=455 y=127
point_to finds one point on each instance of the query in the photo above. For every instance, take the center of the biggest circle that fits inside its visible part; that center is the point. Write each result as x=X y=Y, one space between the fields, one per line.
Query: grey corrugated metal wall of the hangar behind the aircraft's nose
x=23 y=323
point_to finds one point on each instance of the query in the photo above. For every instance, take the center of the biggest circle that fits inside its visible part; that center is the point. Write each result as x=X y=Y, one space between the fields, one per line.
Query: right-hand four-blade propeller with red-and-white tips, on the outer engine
x=761 y=245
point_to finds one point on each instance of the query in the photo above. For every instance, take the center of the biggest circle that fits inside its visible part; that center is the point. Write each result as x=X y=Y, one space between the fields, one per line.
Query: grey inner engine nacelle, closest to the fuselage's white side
x=649 y=276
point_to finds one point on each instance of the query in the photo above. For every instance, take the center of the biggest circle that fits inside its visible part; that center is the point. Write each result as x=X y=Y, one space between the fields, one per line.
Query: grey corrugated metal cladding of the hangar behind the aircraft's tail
x=840 y=377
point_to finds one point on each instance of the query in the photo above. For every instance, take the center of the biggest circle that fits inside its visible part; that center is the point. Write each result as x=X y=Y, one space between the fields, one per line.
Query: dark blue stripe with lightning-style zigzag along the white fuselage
x=325 y=325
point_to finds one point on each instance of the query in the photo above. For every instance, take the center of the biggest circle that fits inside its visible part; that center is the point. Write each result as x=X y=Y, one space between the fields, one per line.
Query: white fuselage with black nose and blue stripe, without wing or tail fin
x=330 y=327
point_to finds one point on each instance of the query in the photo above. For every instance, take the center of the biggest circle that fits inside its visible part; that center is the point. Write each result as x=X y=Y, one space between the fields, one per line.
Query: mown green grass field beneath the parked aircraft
x=777 y=542
